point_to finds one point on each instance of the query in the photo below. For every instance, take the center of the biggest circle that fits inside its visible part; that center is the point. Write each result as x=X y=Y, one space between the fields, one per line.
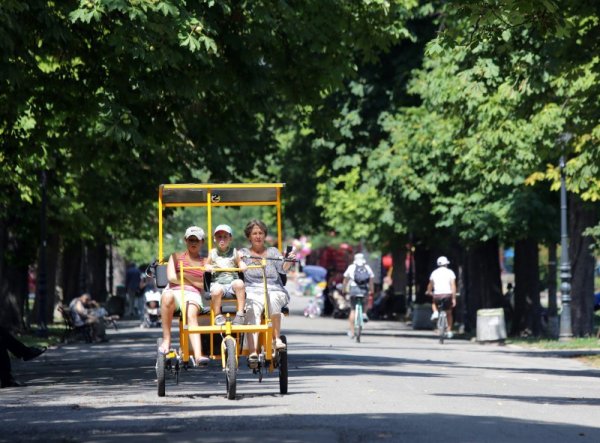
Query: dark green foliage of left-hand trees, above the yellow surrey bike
x=115 y=97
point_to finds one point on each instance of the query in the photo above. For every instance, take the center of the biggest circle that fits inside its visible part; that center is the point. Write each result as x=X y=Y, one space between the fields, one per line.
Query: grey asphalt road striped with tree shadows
x=397 y=385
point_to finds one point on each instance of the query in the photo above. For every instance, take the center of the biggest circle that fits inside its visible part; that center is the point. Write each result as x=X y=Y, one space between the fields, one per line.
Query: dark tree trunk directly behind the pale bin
x=482 y=279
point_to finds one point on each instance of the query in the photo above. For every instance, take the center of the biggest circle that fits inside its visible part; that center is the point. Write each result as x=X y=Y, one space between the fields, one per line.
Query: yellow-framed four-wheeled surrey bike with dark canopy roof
x=224 y=342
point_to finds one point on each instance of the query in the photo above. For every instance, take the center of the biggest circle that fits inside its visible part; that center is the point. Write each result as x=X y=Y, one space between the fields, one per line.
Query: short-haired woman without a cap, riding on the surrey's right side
x=256 y=232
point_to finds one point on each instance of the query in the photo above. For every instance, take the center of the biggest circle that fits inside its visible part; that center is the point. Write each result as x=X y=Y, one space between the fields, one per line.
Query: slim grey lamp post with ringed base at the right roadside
x=565 y=267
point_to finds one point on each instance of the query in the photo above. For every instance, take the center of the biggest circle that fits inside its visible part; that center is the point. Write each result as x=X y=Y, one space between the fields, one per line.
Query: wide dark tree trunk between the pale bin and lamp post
x=527 y=316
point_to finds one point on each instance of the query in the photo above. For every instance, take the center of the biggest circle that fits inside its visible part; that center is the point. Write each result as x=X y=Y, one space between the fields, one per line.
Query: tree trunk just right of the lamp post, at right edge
x=581 y=216
